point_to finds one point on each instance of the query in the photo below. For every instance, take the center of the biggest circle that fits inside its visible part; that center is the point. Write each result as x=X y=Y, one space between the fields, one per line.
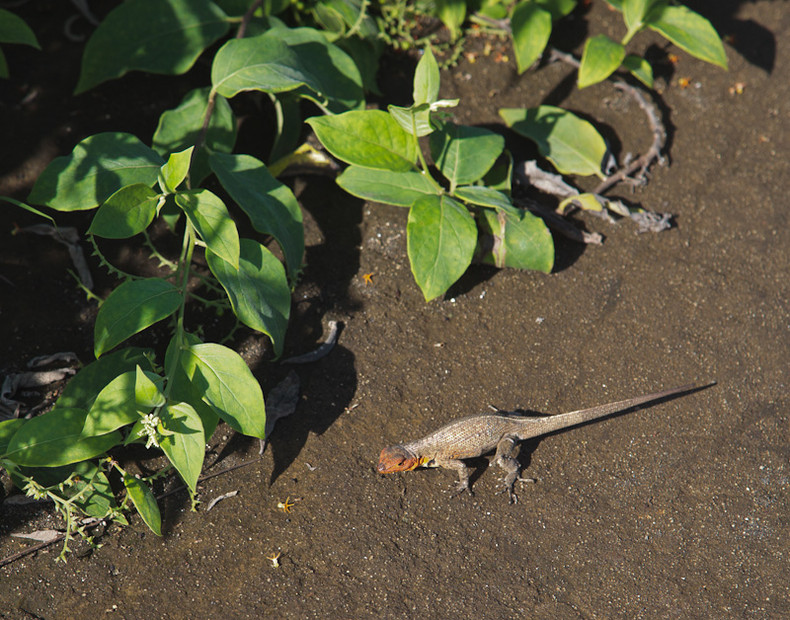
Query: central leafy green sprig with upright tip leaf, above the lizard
x=469 y=215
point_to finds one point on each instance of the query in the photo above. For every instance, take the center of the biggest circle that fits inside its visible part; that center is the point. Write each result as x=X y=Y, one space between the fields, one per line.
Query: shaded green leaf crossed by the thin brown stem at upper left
x=179 y=128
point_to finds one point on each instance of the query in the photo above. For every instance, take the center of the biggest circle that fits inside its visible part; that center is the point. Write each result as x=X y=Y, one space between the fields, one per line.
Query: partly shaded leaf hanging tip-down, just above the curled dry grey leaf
x=258 y=290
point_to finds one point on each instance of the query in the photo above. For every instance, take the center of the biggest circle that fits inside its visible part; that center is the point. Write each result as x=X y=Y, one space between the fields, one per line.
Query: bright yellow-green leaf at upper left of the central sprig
x=368 y=138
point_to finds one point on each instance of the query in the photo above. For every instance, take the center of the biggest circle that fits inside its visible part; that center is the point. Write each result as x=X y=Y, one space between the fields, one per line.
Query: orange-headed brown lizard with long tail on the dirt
x=479 y=434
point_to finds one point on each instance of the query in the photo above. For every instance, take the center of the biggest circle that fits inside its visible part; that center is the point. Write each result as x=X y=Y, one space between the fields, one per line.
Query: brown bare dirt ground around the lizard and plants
x=677 y=510
